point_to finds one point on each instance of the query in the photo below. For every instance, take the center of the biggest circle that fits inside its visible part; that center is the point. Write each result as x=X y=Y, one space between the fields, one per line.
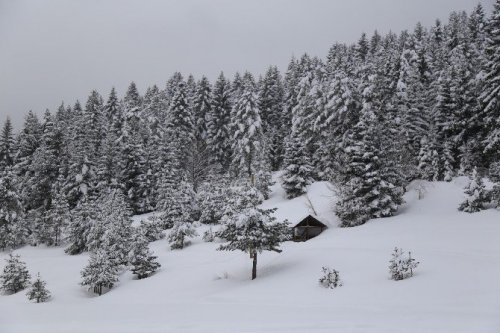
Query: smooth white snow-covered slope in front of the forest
x=455 y=289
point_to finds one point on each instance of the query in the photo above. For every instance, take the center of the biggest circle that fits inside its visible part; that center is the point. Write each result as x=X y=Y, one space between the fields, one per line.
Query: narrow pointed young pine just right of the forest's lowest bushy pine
x=141 y=259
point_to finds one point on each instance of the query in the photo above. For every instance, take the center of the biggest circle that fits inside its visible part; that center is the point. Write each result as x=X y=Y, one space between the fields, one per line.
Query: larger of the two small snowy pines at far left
x=15 y=275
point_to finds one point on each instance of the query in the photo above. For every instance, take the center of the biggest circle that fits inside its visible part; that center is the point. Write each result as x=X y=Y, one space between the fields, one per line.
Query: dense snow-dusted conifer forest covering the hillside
x=369 y=117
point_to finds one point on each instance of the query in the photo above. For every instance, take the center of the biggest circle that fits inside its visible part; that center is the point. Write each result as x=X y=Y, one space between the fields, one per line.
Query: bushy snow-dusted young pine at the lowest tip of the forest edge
x=99 y=273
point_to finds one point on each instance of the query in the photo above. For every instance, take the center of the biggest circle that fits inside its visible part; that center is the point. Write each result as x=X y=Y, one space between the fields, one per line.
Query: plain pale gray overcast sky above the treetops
x=56 y=50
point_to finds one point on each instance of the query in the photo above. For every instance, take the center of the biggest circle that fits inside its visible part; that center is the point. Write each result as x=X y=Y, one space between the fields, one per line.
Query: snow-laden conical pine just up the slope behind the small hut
x=298 y=171
